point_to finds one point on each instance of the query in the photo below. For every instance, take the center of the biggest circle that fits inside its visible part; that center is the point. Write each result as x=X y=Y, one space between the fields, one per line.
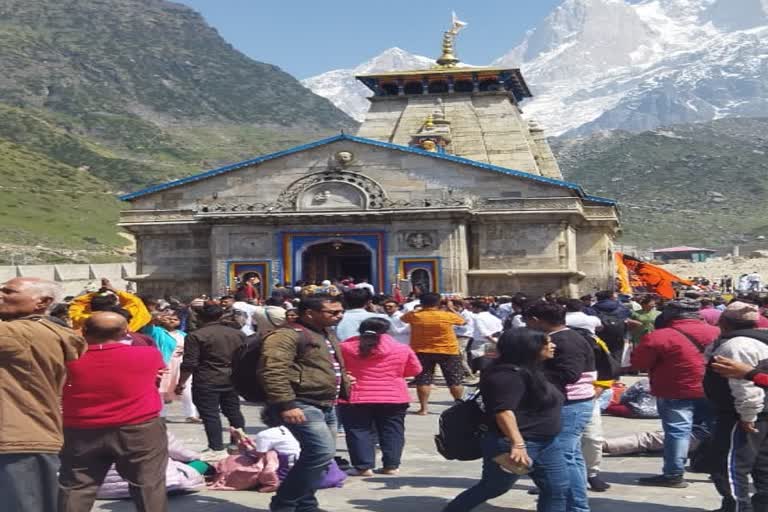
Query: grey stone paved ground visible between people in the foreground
x=427 y=481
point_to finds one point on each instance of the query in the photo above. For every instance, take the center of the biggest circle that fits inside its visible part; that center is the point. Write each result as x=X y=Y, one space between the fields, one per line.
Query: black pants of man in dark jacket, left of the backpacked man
x=209 y=400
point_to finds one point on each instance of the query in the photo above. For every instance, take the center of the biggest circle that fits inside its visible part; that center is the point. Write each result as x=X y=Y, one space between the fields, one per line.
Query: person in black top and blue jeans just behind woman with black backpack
x=573 y=371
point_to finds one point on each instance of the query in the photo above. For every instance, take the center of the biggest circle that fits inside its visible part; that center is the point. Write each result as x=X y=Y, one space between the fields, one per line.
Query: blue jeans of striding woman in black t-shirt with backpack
x=549 y=473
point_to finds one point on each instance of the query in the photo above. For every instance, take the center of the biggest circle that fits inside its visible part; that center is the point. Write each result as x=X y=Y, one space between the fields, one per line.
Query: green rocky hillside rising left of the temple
x=128 y=93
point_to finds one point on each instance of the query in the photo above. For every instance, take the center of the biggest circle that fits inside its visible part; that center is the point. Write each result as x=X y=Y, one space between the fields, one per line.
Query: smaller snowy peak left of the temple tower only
x=348 y=94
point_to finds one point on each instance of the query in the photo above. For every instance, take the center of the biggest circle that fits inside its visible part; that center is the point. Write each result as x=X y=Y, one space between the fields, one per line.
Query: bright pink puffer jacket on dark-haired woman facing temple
x=381 y=375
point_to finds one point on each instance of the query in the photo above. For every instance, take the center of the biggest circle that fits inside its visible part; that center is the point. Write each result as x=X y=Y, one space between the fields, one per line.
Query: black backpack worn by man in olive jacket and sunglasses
x=245 y=364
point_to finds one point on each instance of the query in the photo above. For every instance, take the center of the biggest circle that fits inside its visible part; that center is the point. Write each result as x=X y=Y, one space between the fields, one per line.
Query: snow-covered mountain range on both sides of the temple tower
x=628 y=64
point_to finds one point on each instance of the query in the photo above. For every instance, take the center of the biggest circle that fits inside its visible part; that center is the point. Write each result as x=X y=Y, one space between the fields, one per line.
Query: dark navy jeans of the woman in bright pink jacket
x=388 y=421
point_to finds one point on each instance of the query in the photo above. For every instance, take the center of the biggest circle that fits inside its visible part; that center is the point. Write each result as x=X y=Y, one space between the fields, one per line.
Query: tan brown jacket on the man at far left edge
x=34 y=352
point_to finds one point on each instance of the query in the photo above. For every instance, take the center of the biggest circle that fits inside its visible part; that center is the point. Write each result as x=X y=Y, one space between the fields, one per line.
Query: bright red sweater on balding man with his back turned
x=112 y=385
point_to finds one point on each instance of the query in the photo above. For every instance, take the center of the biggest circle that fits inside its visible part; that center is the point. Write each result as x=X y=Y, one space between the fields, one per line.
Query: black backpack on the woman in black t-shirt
x=461 y=430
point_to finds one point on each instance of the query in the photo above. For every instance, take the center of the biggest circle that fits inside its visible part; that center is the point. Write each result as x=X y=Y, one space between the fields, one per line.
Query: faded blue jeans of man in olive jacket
x=317 y=437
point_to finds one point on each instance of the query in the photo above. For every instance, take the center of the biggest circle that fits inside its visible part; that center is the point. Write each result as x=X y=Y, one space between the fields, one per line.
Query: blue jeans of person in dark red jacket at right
x=677 y=419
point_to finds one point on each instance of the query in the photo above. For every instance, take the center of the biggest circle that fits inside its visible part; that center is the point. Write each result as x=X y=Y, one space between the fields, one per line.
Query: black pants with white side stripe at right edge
x=738 y=455
